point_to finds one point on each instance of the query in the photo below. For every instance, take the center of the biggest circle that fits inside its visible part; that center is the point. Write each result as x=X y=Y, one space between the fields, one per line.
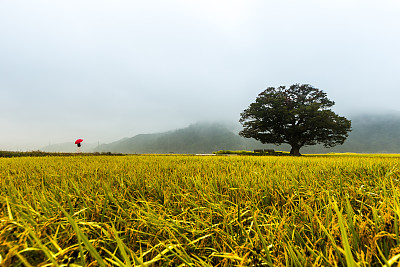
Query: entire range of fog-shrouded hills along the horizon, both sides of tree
x=370 y=134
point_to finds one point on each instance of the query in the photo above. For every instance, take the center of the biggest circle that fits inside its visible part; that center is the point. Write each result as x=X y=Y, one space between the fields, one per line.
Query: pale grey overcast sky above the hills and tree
x=103 y=70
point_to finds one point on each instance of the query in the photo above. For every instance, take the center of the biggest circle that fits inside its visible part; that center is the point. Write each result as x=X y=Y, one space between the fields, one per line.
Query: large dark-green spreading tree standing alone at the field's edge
x=299 y=115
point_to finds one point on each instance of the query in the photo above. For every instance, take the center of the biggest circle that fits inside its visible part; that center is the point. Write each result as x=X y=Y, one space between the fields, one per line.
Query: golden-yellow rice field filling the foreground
x=155 y=210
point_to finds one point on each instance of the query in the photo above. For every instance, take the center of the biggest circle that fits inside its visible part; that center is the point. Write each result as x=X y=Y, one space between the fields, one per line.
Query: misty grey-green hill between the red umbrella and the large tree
x=196 y=138
